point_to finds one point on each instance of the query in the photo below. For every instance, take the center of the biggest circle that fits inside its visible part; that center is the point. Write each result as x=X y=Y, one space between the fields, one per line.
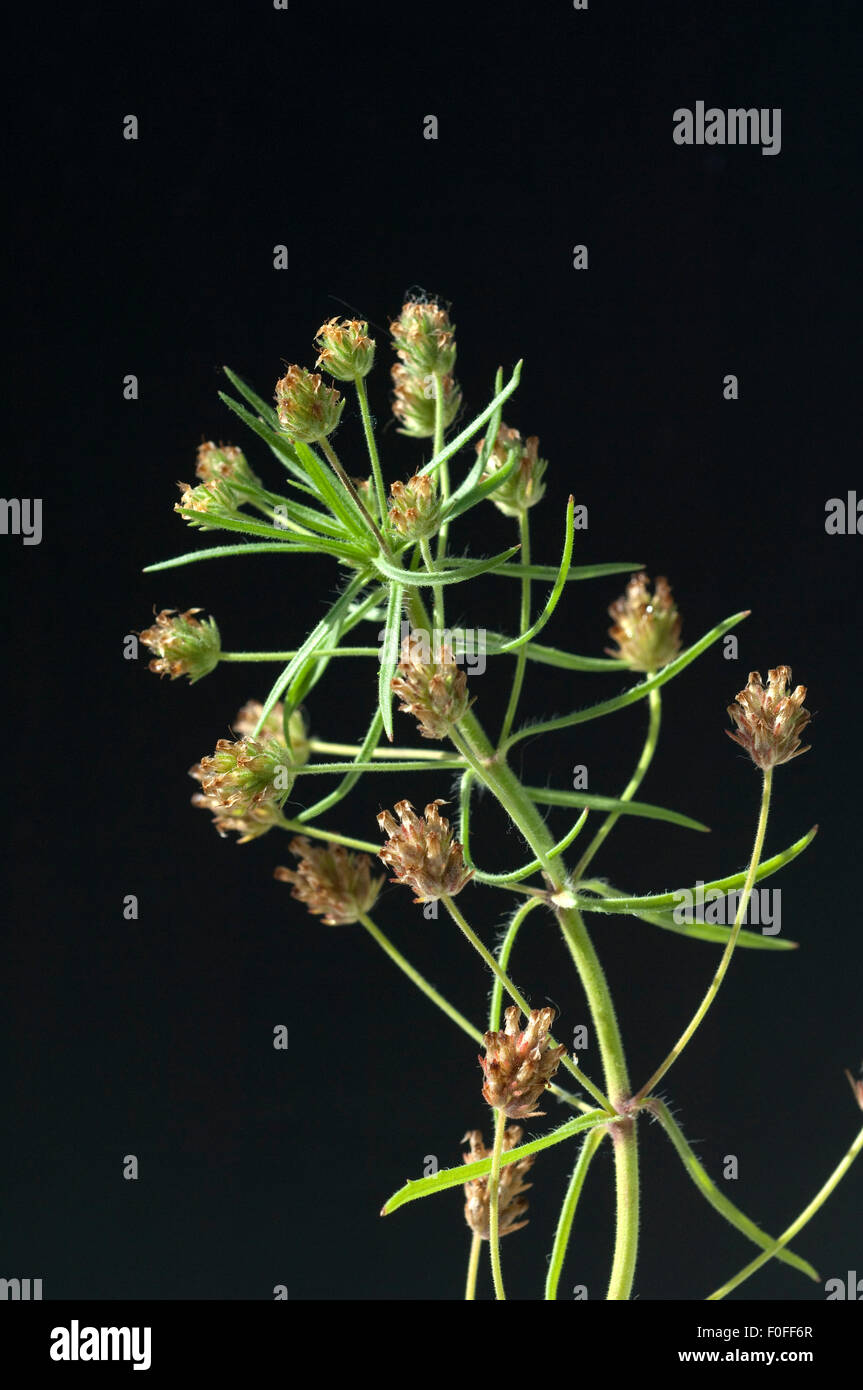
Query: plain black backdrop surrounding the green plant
x=154 y=1038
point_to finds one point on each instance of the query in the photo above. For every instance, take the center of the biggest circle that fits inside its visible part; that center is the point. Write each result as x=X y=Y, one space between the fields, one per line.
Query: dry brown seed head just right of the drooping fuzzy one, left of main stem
x=423 y=854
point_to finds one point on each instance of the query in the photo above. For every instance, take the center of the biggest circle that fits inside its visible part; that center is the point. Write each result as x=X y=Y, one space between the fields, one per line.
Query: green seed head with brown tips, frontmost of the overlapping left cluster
x=249 y=774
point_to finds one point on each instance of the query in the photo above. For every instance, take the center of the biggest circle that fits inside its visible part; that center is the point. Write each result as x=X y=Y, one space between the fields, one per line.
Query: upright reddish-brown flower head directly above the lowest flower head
x=519 y=1065
